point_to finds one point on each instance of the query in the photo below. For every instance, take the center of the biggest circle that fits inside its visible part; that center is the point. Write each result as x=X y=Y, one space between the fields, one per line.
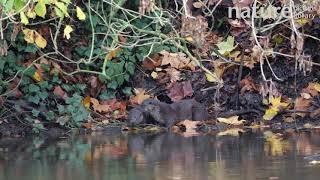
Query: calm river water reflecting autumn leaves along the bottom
x=161 y=156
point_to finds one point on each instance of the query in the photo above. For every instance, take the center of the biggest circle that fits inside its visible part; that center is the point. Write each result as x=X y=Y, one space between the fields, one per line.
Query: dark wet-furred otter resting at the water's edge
x=168 y=114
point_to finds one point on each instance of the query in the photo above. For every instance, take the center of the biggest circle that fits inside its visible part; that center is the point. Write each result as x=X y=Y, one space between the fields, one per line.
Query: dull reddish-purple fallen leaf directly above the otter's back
x=180 y=90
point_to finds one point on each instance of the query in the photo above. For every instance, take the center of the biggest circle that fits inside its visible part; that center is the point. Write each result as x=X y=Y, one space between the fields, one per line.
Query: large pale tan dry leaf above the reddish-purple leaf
x=177 y=60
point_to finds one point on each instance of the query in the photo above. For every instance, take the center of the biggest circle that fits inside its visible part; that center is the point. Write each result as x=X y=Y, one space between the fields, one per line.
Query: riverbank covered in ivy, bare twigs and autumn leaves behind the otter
x=71 y=64
